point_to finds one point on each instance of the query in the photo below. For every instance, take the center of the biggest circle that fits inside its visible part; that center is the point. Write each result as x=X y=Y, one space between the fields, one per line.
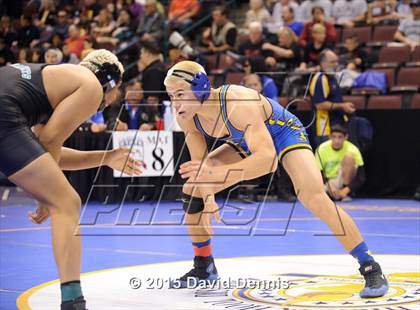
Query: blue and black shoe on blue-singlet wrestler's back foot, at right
x=376 y=283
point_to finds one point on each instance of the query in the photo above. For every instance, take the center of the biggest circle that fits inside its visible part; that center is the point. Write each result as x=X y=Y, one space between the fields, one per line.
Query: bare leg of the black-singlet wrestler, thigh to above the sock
x=44 y=180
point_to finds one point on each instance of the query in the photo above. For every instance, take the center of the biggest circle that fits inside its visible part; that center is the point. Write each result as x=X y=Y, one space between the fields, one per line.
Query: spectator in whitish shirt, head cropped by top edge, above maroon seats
x=349 y=13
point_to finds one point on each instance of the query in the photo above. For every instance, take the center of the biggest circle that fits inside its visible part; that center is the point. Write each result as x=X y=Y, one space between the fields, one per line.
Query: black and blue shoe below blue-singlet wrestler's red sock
x=203 y=273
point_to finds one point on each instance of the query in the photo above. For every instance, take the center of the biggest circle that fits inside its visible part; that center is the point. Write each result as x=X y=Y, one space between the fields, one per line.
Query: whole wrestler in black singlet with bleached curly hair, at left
x=61 y=97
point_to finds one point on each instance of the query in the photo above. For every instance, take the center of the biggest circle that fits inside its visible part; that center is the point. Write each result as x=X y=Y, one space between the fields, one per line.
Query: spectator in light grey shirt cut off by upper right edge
x=409 y=30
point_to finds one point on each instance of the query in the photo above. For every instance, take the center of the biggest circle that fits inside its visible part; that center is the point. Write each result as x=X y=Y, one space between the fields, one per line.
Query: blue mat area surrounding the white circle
x=389 y=227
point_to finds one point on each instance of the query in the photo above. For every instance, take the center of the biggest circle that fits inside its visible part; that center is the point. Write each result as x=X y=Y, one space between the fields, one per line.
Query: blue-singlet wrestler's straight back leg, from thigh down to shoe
x=306 y=177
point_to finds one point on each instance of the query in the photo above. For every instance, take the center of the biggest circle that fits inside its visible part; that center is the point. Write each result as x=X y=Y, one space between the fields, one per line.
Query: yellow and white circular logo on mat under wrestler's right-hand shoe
x=330 y=292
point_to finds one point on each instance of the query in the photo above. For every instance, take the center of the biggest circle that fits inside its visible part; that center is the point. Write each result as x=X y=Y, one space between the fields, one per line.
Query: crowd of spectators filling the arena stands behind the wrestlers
x=267 y=41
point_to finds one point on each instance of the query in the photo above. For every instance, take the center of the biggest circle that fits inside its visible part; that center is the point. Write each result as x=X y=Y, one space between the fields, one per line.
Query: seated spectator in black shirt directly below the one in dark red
x=313 y=50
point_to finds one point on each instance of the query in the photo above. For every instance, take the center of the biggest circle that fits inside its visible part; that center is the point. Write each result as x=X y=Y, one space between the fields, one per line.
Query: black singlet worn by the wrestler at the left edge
x=23 y=103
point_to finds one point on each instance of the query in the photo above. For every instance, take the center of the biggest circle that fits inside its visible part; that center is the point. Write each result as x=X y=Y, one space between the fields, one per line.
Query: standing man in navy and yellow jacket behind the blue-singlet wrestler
x=327 y=99
